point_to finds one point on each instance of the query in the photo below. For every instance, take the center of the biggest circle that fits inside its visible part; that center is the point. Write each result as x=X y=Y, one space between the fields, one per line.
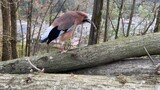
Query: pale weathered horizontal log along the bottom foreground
x=77 y=82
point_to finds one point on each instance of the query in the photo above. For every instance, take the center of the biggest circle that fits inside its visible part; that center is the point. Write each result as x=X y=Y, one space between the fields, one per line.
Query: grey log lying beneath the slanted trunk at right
x=129 y=66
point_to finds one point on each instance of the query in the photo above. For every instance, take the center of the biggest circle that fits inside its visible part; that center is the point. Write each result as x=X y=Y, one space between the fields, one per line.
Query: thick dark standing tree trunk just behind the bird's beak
x=96 y=18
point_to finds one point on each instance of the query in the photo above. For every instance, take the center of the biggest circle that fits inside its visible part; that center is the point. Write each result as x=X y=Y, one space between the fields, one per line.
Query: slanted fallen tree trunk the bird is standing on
x=87 y=56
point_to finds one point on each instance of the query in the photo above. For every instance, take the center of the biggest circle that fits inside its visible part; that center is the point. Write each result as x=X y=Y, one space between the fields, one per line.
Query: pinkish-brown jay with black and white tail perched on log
x=64 y=27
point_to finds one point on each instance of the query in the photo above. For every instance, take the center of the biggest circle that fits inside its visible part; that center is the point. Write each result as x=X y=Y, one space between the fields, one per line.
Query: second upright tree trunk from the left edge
x=13 y=28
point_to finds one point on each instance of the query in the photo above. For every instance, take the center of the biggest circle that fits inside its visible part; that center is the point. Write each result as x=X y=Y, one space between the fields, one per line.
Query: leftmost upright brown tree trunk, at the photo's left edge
x=6 y=50
